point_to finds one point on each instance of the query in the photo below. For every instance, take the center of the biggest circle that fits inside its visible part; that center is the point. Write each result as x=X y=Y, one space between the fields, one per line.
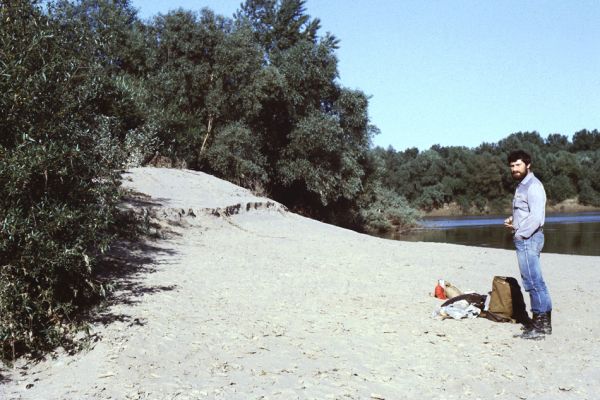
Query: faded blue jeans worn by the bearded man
x=528 y=254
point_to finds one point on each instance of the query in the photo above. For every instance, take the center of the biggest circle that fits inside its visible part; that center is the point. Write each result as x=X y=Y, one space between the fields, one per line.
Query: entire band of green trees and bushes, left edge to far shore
x=87 y=89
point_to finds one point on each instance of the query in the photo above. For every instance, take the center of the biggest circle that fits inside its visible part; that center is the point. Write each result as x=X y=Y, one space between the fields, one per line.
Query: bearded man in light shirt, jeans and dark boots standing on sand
x=527 y=221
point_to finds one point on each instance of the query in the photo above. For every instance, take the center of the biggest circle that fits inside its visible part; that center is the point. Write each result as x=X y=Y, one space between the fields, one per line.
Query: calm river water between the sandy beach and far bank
x=567 y=233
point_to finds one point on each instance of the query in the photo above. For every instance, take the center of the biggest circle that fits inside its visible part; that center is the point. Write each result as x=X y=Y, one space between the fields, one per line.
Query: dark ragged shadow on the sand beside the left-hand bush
x=121 y=272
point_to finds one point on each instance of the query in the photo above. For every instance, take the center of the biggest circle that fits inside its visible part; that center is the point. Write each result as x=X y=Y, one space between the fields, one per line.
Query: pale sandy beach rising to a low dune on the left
x=246 y=300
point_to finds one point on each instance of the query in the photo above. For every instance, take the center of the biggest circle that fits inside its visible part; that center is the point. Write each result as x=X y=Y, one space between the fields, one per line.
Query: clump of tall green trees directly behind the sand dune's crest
x=255 y=100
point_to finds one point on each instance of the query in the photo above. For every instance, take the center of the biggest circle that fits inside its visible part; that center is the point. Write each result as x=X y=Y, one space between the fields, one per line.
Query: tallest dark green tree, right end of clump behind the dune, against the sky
x=314 y=133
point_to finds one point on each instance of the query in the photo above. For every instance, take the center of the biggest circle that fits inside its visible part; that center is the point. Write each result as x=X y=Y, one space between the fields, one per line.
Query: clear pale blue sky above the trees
x=459 y=73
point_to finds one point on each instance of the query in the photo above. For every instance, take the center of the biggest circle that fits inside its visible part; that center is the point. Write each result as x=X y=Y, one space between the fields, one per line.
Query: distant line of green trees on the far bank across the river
x=478 y=180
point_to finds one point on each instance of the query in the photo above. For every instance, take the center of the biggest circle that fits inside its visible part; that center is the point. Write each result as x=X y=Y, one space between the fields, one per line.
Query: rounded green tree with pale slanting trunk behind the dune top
x=206 y=77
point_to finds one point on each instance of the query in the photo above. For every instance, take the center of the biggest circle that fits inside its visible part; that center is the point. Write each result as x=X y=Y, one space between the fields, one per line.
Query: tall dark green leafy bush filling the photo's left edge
x=58 y=185
